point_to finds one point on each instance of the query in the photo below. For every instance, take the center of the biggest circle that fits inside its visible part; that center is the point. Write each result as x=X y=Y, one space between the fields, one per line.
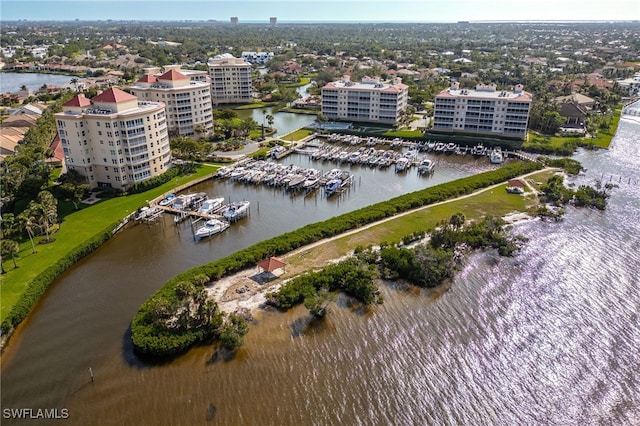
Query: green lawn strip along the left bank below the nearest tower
x=76 y=228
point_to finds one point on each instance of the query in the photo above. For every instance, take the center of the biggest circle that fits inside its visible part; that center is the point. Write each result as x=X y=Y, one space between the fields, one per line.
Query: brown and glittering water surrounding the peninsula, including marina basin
x=548 y=337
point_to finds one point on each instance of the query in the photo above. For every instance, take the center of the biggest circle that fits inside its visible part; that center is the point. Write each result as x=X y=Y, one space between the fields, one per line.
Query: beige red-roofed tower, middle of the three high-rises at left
x=187 y=96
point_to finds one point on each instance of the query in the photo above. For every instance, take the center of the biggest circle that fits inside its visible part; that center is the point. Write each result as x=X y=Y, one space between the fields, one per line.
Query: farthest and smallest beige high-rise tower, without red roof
x=230 y=80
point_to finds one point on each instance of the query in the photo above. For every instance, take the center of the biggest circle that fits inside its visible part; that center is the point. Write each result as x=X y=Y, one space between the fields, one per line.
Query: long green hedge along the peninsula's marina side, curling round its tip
x=153 y=335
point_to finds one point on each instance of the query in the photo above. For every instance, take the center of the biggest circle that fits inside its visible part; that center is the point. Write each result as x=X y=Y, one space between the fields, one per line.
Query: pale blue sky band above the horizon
x=323 y=10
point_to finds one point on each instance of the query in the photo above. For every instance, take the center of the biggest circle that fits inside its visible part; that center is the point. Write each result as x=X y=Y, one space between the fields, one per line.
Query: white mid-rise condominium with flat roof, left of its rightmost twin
x=370 y=100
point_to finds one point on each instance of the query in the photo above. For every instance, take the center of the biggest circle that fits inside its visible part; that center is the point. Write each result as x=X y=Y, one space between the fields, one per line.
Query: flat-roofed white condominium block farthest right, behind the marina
x=483 y=111
